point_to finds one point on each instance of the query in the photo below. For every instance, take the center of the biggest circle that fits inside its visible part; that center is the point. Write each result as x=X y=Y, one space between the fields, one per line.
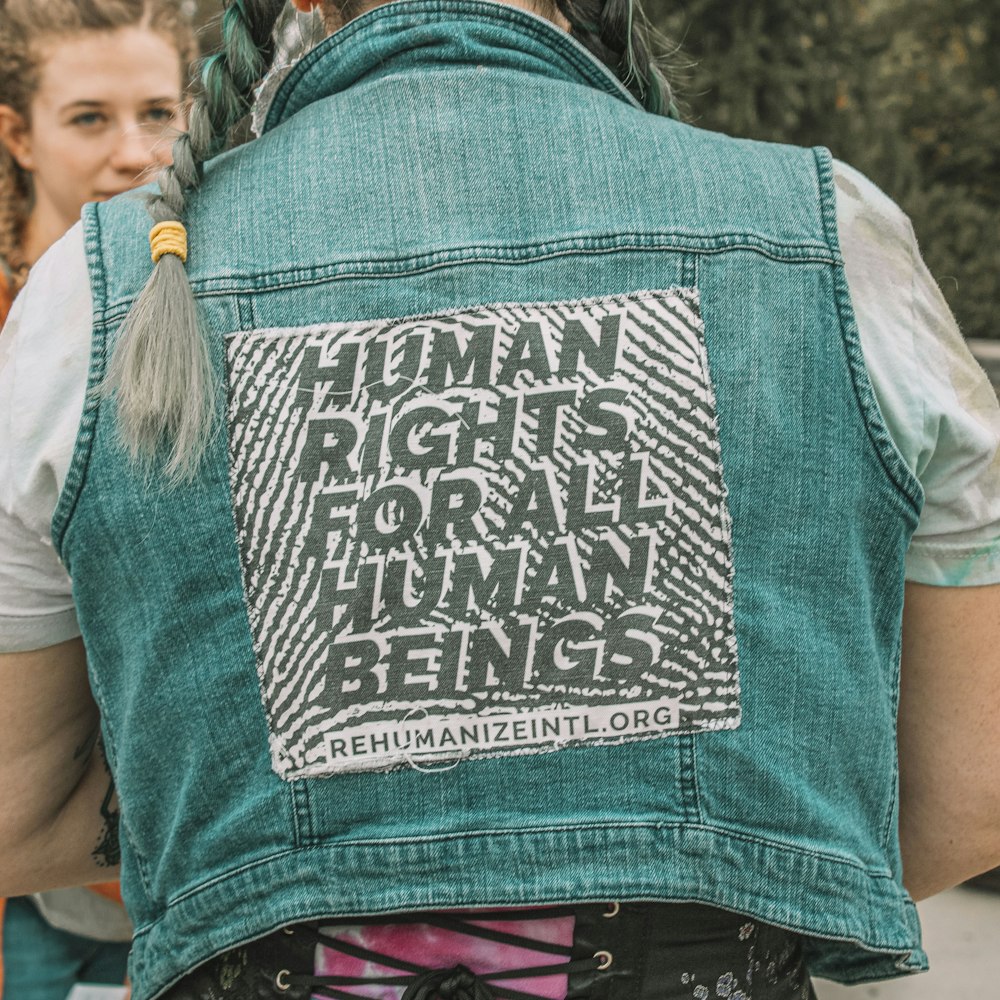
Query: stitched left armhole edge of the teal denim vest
x=76 y=473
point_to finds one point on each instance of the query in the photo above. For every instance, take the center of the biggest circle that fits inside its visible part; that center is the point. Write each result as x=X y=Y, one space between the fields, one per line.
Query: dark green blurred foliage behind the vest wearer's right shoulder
x=905 y=90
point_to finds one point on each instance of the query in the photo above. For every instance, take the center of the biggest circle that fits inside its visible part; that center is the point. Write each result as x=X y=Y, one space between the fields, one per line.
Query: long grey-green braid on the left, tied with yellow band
x=161 y=370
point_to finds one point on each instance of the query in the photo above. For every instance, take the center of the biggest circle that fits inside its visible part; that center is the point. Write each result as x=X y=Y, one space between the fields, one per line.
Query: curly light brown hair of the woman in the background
x=25 y=27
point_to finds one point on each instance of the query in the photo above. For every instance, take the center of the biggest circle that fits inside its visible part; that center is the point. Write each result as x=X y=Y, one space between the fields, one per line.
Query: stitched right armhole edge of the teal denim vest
x=881 y=440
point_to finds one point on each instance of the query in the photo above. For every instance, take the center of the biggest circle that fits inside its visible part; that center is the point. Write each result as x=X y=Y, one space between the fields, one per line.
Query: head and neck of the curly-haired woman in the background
x=90 y=102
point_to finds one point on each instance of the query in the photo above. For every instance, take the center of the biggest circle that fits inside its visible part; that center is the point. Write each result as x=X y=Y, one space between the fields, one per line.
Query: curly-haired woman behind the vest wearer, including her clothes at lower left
x=90 y=103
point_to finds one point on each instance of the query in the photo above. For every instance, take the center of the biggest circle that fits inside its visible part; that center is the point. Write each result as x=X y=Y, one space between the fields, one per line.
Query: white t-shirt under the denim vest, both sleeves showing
x=939 y=407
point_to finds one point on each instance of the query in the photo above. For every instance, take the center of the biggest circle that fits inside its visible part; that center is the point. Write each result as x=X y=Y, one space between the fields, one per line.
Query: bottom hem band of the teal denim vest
x=875 y=935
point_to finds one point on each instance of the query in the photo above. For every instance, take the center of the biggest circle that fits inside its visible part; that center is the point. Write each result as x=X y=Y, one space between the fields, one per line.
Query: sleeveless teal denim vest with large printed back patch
x=551 y=547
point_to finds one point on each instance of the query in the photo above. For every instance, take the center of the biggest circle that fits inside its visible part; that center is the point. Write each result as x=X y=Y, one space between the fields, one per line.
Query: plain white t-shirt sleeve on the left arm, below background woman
x=44 y=360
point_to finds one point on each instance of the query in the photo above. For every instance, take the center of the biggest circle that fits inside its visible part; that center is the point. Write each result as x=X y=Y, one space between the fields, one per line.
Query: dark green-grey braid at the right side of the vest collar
x=617 y=32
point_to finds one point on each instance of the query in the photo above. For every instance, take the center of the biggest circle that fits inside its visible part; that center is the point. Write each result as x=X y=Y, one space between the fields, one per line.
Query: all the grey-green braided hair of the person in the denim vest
x=161 y=369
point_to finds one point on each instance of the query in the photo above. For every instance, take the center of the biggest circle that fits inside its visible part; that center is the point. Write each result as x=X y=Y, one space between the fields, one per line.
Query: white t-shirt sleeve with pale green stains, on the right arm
x=937 y=402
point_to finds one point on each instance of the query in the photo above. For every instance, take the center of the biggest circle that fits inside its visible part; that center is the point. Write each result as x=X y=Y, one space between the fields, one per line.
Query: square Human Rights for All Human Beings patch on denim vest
x=501 y=530
